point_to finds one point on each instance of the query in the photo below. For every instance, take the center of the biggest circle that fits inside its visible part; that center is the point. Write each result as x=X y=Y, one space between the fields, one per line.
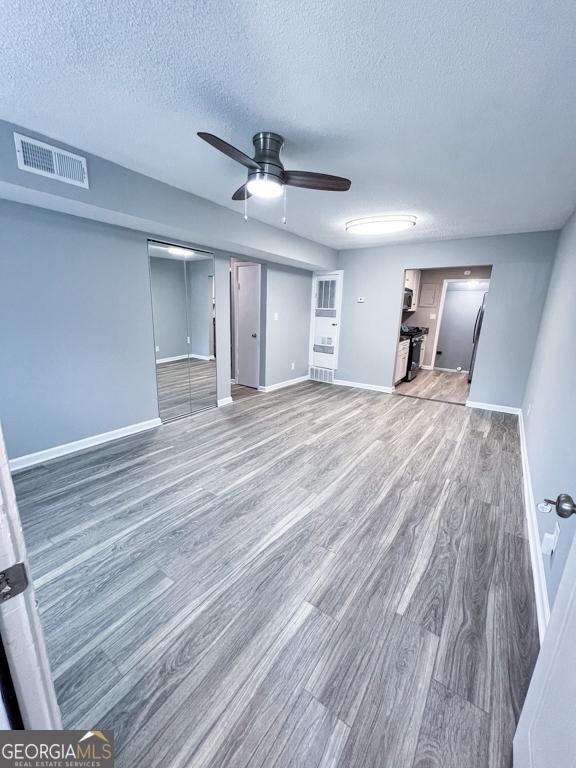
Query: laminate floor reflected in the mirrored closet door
x=185 y=386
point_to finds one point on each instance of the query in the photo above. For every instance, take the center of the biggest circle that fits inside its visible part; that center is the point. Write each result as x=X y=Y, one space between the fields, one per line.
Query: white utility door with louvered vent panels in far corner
x=326 y=310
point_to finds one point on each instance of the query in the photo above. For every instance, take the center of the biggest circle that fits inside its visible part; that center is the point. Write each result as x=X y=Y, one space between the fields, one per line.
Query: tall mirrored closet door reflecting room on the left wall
x=182 y=284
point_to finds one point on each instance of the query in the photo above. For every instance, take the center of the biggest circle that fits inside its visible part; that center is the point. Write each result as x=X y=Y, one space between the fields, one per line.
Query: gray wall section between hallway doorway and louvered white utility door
x=288 y=297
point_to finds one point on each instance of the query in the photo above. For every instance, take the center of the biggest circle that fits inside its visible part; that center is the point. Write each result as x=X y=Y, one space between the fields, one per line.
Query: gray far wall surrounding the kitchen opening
x=520 y=276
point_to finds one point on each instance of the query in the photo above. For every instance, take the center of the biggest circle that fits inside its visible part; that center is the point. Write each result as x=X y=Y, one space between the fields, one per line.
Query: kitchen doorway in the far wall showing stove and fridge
x=440 y=329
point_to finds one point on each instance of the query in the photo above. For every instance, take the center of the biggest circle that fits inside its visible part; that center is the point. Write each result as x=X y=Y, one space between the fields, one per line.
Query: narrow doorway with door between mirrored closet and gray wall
x=245 y=294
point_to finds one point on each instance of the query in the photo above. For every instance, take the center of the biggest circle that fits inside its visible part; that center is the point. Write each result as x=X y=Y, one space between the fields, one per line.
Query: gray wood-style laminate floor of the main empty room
x=317 y=577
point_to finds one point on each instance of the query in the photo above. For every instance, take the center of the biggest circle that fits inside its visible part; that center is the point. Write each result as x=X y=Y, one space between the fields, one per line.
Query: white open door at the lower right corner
x=546 y=733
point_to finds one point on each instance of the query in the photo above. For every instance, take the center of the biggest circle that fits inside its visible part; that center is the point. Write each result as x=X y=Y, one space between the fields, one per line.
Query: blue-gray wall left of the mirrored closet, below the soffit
x=75 y=329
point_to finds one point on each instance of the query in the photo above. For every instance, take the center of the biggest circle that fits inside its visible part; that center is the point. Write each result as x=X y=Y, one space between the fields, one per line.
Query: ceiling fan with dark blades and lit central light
x=266 y=174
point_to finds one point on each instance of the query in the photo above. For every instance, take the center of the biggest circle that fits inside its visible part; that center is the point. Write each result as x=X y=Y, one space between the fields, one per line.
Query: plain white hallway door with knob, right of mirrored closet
x=248 y=324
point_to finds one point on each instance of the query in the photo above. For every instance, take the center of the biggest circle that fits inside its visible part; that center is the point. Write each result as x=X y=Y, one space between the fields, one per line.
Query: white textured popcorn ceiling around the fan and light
x=462 y=112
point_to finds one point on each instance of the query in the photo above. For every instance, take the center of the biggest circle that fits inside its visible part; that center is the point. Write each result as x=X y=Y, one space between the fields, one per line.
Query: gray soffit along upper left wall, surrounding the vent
x=120 y=196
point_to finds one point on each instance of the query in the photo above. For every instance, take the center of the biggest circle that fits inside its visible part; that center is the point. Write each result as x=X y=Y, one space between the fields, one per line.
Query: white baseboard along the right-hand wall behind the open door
x=537 y=562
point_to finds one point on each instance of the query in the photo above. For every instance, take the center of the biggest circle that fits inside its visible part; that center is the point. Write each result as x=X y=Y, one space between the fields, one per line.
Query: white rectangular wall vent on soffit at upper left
x=37 y=157
